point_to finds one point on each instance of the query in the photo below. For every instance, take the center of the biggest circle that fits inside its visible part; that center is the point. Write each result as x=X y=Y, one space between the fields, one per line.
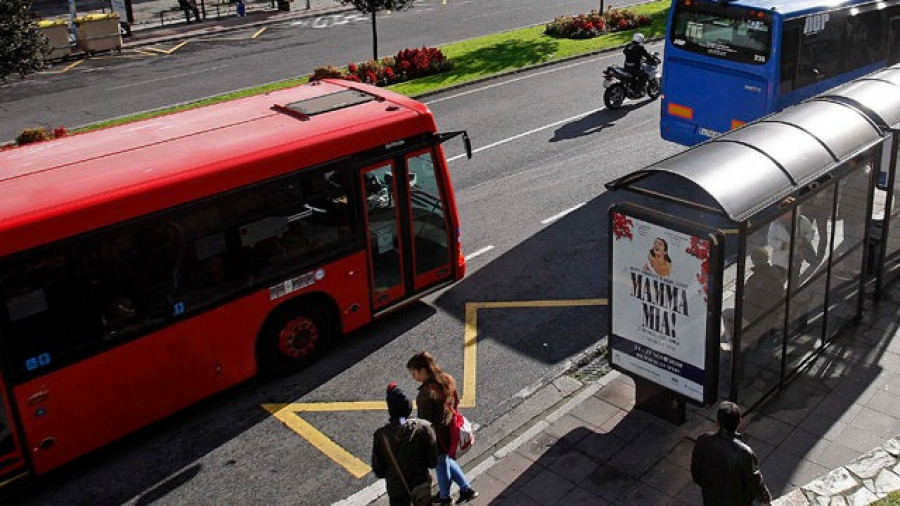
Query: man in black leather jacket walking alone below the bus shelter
x=725 y=467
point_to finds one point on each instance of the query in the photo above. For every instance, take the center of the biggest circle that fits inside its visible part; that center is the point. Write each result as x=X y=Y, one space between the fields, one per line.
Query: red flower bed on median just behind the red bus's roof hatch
x=407 y=64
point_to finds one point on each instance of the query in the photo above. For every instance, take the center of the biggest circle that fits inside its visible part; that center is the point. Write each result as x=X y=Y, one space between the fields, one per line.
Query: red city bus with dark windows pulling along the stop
x=146 y=266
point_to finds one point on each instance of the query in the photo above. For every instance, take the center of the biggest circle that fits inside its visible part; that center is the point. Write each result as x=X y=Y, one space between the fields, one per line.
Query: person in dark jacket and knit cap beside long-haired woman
x=413 y=445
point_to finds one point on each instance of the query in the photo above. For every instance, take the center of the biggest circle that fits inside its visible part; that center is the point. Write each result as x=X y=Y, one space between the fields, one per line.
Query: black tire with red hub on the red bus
x=292 y=337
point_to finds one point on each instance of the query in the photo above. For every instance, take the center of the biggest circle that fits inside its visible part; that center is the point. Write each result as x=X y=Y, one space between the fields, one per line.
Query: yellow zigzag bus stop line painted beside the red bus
x=288 y=413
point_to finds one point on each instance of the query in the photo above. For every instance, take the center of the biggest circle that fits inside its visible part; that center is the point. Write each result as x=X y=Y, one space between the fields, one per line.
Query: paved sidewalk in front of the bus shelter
x=830 y=437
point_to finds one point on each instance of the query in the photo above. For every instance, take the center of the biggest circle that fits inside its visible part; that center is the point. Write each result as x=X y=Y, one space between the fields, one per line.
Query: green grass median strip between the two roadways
x=474 y=60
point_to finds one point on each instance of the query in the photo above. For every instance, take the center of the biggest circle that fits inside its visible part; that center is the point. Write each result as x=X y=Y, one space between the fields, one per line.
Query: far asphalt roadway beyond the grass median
x=114 y=85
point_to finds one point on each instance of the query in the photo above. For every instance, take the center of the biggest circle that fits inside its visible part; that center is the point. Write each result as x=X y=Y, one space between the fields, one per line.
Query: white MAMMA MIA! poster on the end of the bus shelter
x=659 y=297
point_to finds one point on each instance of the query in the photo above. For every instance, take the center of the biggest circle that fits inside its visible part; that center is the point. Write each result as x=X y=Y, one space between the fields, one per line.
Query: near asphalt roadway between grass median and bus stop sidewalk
x=533 y=209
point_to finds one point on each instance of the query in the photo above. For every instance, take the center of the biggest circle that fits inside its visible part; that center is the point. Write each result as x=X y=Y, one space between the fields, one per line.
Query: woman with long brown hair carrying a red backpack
x=437 y=401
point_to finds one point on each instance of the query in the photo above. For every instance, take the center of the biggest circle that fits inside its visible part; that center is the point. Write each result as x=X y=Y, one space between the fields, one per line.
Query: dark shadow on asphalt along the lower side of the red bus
x=149 y=464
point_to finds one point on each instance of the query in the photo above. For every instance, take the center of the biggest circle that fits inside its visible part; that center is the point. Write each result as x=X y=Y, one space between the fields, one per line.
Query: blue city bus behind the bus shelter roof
x=729 y=63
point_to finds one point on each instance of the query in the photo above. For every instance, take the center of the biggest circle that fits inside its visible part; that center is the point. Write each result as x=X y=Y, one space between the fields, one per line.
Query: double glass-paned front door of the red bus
x=409 y=237
